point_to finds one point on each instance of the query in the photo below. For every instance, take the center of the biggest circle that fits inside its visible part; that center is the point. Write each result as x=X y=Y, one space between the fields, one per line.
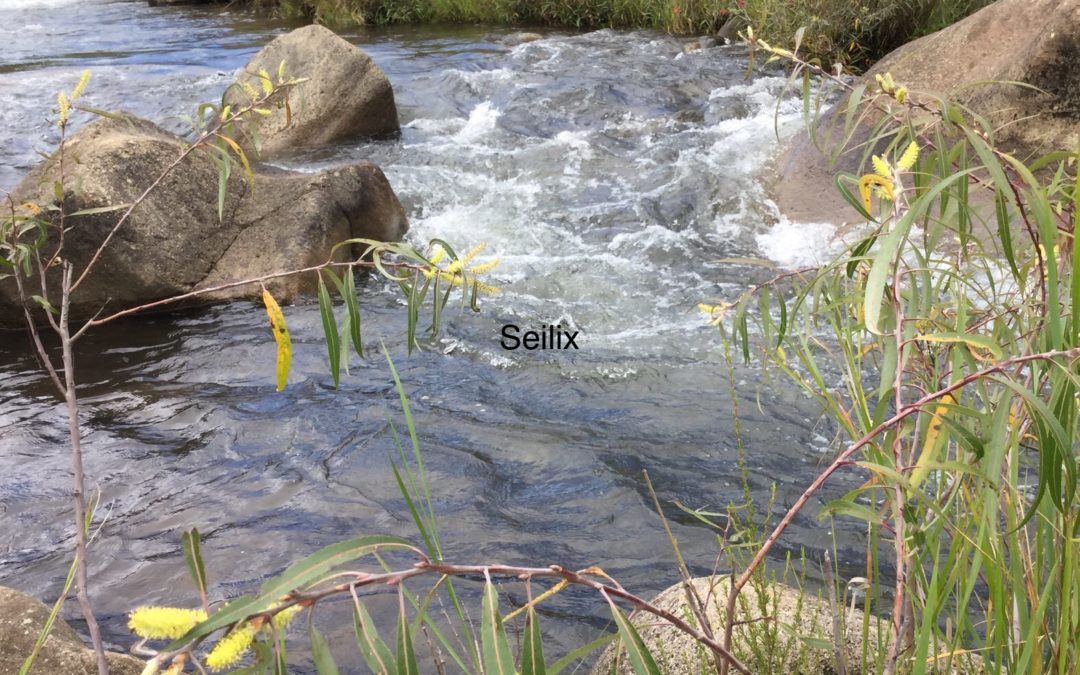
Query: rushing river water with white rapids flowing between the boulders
x=610 y=171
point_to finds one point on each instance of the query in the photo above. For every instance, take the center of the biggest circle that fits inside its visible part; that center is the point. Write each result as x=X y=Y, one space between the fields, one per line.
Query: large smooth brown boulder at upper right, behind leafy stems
x=977 y=62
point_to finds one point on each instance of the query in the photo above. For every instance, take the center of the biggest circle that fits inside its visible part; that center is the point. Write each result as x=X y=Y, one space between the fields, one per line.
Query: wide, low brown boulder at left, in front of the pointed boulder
x=175 y=241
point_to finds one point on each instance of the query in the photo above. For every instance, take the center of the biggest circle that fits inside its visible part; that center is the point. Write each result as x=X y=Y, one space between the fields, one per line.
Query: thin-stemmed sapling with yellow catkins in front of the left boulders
x=33 y=240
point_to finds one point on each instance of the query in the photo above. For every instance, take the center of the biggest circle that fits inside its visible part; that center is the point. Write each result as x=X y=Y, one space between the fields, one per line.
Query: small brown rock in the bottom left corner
x=22 y=619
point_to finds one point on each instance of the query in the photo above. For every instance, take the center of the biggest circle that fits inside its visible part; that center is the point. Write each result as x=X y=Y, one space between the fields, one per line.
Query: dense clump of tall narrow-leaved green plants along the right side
x=944 y=347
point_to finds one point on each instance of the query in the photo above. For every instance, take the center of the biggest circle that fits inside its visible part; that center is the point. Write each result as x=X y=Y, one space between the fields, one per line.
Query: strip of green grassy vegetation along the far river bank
x=855 y=33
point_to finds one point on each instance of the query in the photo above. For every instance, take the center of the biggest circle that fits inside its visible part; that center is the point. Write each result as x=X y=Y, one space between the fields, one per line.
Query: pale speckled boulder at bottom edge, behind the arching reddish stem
x=799 y=616
